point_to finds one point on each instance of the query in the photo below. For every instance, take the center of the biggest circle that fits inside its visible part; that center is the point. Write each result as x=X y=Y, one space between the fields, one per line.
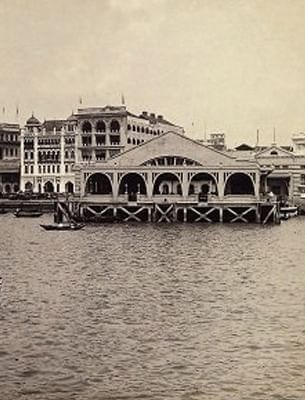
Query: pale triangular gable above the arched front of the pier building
x=174 y=144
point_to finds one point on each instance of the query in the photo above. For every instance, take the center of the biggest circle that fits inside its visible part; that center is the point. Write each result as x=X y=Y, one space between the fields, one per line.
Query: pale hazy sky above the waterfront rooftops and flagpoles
x=208 y=65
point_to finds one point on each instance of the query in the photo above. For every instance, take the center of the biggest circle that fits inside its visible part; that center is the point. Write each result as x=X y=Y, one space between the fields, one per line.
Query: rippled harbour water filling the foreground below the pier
x=187 y=312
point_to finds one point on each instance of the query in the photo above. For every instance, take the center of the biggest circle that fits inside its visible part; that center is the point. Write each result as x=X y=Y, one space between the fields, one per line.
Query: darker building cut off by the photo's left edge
x=9 y=157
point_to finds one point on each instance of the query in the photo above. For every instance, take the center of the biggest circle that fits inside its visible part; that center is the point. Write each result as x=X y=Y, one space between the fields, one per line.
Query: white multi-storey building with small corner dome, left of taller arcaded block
x=47 y=156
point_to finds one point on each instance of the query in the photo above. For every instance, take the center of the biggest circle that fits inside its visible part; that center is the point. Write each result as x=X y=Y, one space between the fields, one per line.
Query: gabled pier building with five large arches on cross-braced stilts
x=172 y=177
